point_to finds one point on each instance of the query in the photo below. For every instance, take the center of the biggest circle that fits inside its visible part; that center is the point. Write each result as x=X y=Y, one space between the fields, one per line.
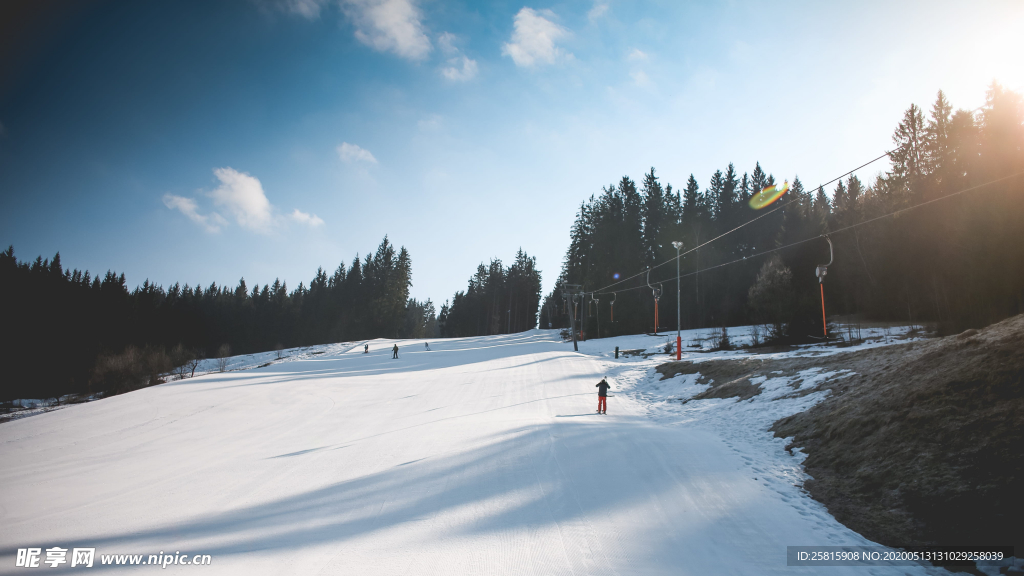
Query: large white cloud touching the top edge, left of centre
x=390 y=26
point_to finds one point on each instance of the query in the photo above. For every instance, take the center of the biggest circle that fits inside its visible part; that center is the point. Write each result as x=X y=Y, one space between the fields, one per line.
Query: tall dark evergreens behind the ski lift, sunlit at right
x=959 y=262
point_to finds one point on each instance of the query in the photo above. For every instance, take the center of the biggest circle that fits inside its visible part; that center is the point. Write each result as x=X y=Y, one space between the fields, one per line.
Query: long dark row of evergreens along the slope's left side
x=61 y=324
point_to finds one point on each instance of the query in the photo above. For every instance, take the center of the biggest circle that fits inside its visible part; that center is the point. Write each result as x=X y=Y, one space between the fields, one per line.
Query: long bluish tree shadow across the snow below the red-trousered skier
x=528 y=478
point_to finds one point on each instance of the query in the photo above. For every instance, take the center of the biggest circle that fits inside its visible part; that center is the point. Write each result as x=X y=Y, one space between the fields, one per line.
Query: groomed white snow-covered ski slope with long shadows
x=481 y=457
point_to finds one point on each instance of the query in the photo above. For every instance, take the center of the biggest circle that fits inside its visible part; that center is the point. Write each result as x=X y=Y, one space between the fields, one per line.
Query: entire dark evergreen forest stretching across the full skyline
x=938 y=237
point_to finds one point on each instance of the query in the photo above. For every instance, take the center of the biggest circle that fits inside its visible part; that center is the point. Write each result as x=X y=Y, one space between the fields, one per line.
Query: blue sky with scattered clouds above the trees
x=201 y=142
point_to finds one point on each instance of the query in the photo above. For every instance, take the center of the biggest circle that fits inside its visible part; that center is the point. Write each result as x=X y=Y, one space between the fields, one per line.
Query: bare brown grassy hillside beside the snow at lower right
x=925 y=445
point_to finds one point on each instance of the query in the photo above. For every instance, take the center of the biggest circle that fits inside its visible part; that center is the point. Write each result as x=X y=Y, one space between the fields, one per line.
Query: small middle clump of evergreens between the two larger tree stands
x=498 y=301
